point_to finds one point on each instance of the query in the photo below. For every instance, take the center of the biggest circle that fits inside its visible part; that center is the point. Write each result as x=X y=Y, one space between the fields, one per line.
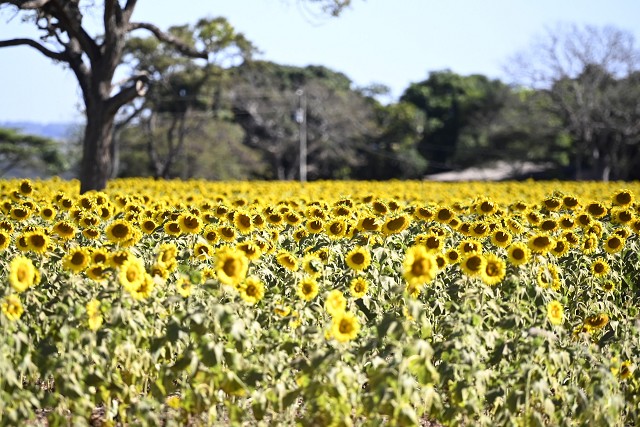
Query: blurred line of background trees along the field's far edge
x=574 y=110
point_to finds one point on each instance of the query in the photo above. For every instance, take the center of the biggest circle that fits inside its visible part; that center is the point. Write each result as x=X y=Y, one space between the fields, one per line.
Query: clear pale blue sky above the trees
x=393 y=42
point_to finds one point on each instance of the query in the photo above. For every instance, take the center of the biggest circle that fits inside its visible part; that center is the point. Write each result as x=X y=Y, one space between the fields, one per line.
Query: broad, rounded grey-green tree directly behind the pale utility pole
x=269 y=101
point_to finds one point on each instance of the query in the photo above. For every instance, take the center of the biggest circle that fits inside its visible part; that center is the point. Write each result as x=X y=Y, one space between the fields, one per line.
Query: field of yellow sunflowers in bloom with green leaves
x=328 y=303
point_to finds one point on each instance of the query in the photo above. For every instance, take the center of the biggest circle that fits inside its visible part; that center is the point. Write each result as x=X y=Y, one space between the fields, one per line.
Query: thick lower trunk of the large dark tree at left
x=97 y=164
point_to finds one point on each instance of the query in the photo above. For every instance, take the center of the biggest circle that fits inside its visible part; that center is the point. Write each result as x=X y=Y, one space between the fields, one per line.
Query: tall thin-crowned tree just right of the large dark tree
x=183 y=96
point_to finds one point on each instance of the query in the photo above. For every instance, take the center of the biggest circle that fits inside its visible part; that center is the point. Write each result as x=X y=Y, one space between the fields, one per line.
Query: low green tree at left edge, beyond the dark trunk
x=29 y=152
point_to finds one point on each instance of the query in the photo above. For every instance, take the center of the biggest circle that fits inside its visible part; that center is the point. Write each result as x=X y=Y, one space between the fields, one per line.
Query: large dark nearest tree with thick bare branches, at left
x=94 y=58
